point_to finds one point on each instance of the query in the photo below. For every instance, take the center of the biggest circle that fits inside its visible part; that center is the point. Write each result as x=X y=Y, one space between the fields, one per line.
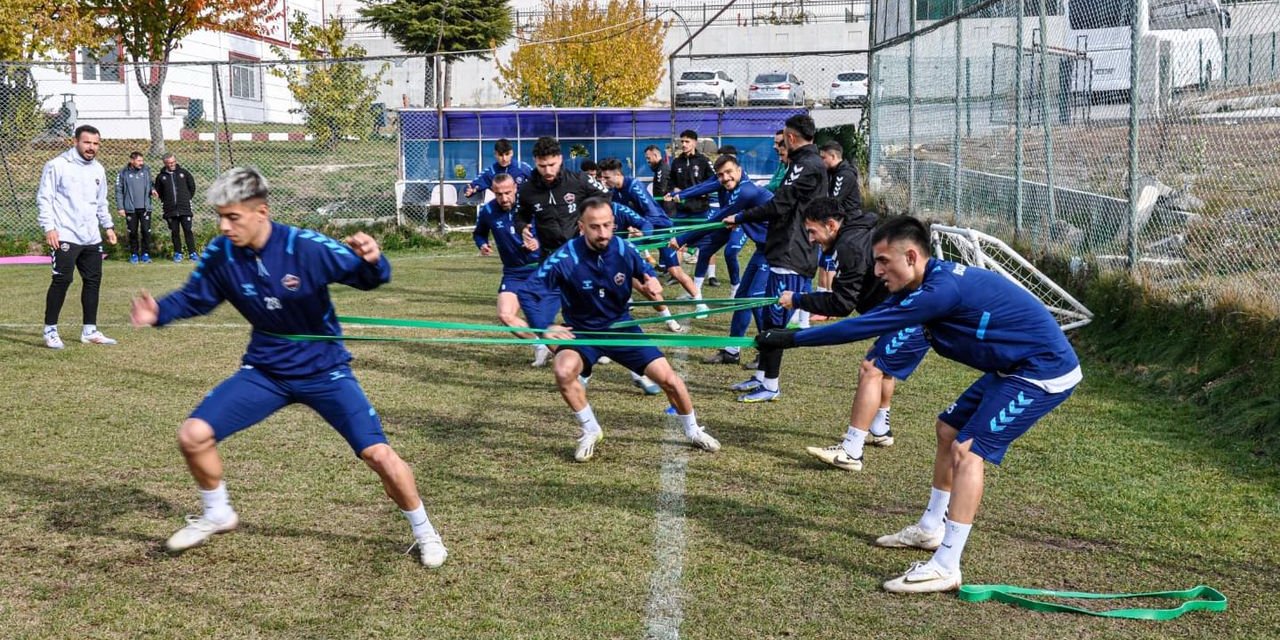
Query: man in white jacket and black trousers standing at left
x=72 y=205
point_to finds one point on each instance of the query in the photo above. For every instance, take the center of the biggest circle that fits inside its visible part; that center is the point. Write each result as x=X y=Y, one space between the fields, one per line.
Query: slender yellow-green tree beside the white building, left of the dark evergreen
x=337 y=98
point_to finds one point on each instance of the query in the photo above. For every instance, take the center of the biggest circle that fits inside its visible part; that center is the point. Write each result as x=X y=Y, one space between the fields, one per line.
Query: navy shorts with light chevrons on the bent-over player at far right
x=996 y=410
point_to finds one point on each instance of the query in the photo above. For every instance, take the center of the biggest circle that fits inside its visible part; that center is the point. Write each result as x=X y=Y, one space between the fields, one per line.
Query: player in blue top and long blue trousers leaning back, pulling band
x=735 y=196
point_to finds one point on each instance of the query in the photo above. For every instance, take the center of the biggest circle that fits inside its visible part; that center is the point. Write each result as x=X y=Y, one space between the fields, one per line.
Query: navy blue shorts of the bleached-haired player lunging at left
x=250 y=396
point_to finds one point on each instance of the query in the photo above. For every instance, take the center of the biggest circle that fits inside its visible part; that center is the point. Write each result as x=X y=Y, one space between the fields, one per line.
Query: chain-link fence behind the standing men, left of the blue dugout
x=323 y=132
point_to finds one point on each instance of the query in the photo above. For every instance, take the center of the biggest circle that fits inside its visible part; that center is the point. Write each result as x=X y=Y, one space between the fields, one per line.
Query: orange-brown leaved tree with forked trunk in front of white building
x=150 y=30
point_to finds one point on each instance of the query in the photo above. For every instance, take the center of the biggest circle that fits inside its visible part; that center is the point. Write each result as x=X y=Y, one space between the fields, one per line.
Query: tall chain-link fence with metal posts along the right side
x=1020 y=118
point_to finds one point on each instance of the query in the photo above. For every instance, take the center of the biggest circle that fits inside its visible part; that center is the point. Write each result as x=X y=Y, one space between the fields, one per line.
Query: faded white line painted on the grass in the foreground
x=665 y=611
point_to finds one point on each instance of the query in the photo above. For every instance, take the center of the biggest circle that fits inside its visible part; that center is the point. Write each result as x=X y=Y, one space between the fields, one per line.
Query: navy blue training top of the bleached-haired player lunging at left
x=281 y=290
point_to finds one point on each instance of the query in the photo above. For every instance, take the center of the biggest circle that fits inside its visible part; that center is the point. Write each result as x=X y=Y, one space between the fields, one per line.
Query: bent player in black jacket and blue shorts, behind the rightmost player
x=856 y=287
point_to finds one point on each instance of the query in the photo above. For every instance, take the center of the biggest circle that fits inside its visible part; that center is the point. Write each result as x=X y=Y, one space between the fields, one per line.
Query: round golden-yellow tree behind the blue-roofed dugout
x=588 y=56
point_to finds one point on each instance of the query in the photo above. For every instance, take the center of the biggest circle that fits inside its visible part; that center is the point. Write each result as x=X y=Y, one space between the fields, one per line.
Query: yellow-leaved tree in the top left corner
x=31 y=30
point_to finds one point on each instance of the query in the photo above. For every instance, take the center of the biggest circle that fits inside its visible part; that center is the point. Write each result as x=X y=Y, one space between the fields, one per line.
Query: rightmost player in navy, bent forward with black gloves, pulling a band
x=980 y=319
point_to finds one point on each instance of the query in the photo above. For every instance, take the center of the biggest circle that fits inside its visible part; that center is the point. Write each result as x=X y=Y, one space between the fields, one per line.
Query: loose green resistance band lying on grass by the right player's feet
x=1199 y=598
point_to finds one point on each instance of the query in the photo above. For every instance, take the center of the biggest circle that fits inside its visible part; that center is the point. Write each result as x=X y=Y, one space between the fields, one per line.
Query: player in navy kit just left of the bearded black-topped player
x=518 y=262
